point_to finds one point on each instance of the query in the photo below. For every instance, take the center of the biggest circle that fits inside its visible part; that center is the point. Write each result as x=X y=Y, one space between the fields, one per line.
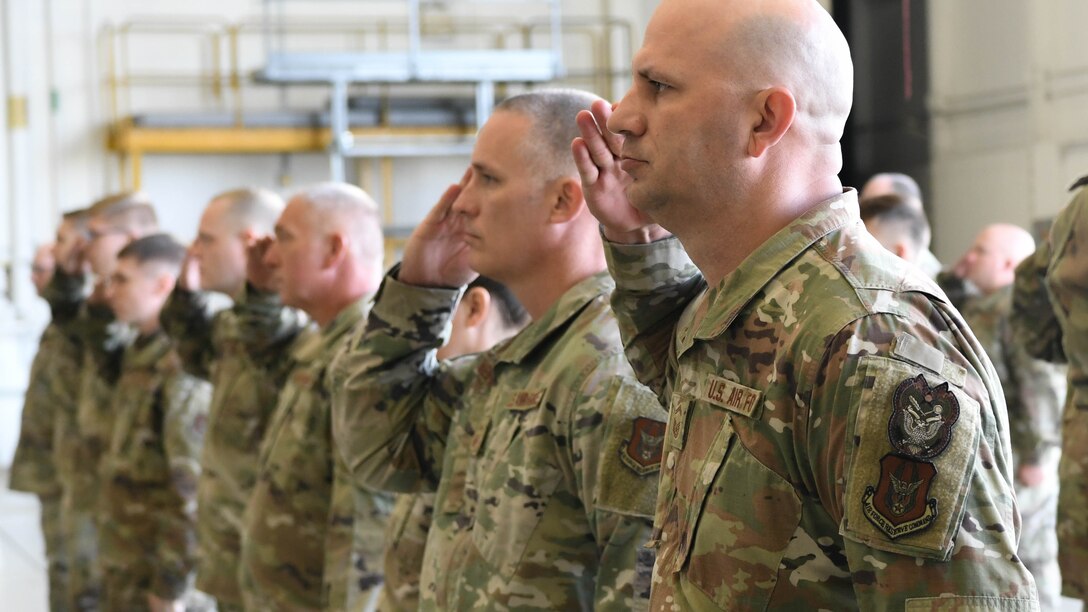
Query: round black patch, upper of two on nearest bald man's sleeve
x=922 y=419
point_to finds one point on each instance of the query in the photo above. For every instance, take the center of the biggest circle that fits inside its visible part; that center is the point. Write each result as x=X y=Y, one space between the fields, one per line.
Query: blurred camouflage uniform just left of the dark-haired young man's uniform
x=83 y=430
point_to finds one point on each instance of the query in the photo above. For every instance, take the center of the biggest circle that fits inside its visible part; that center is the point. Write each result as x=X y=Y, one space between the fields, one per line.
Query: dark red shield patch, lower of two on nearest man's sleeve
x=900 y=504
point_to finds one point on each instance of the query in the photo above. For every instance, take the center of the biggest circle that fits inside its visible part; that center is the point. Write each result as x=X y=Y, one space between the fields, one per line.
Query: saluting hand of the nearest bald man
x=597 y=155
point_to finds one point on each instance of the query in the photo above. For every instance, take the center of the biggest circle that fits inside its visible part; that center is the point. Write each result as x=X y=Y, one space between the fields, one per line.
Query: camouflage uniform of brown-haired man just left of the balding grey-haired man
x=243 y=351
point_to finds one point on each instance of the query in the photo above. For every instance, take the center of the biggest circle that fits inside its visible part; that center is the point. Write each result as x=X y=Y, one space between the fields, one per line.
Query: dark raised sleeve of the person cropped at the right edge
x=1035 y=326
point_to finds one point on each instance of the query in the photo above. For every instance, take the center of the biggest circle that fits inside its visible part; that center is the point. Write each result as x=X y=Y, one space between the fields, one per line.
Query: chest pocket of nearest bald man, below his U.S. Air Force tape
x=732 y=518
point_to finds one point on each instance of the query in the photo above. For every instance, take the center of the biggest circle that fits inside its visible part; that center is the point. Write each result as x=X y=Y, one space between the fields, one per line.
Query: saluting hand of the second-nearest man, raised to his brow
x=437 y=254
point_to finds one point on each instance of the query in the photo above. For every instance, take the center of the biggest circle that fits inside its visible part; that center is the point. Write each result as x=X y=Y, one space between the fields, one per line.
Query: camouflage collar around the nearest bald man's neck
x=713 y=312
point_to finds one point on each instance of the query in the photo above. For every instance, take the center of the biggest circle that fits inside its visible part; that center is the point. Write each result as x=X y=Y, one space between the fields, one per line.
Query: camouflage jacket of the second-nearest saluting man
x=548 y=450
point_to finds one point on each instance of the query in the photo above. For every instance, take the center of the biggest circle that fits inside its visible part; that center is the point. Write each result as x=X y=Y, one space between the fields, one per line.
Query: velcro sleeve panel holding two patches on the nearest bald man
x=909 y=466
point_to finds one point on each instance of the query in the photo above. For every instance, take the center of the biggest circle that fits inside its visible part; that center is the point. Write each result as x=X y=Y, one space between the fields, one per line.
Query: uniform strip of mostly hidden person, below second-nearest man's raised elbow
x=406 y=537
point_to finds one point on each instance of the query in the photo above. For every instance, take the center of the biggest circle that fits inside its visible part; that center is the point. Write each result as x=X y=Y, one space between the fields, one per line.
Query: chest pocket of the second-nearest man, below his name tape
x=514 y=475
